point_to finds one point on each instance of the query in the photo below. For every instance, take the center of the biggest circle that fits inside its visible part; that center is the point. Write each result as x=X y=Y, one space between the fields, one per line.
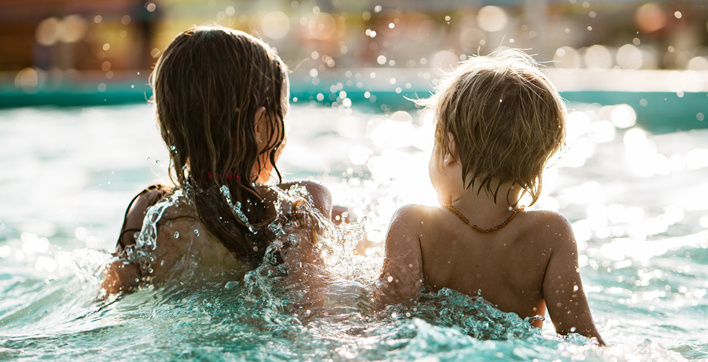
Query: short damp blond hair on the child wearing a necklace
x=506 y=119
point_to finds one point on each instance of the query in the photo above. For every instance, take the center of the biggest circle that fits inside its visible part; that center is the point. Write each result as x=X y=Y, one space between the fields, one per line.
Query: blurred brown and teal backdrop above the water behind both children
x=77 y=52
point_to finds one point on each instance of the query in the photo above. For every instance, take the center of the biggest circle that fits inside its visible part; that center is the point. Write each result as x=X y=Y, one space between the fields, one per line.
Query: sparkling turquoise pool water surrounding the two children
x=638 y=203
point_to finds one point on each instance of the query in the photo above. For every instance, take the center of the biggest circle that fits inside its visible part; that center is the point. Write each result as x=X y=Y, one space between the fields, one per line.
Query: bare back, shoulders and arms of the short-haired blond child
x=520 y=268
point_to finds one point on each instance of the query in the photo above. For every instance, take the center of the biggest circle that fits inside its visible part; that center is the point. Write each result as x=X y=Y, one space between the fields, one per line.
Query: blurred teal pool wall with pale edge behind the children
x=658 y=109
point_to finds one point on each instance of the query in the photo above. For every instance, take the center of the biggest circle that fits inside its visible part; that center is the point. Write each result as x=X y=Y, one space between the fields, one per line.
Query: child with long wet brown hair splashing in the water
x=221 y=98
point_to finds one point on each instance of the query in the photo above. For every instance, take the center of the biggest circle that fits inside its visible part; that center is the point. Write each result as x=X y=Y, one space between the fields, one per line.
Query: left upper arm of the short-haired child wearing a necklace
x=402 y=274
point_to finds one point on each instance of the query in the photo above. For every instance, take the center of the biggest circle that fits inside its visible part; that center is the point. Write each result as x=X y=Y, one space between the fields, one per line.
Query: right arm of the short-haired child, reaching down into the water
x=562 y=287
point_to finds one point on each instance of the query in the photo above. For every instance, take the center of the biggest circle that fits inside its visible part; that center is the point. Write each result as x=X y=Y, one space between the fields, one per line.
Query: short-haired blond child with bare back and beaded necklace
x=499 y=121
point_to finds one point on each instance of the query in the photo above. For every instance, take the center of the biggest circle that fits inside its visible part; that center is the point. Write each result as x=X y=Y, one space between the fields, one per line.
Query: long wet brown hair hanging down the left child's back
x=208 y=85
